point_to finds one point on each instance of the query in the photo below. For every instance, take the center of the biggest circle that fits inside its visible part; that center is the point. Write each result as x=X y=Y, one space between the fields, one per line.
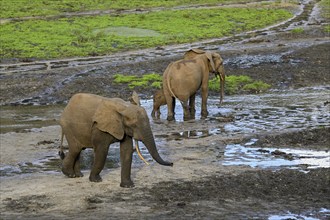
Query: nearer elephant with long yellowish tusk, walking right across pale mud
x=92 y=121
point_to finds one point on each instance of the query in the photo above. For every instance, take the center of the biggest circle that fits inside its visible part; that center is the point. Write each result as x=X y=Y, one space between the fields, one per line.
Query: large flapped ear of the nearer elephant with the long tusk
x=108 y=120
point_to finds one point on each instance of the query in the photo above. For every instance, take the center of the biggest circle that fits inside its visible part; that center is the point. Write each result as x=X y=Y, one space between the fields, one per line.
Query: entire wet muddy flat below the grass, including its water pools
x=291 y=118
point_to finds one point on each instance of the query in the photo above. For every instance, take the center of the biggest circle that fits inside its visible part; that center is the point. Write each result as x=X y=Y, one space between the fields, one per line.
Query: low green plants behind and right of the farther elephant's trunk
x=239 y=84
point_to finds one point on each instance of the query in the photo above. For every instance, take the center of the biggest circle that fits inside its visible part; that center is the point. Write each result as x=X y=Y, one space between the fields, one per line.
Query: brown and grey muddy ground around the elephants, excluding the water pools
x=198 y=186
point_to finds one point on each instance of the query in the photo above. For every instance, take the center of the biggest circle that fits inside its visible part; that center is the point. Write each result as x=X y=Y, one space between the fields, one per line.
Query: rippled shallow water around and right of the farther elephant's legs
x=278 y=110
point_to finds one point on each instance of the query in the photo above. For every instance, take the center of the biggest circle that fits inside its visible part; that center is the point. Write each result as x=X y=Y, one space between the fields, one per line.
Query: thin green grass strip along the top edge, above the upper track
x=24 y=8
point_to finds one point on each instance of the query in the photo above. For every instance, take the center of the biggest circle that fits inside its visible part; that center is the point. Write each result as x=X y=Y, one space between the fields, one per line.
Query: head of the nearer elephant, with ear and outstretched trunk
x=120 y=118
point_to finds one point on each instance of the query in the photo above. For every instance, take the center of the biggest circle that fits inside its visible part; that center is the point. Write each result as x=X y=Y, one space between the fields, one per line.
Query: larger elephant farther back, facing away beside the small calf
x=182 y=79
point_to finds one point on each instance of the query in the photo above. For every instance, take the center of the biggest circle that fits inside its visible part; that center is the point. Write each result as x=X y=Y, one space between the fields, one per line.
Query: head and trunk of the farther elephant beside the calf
x=215 y=65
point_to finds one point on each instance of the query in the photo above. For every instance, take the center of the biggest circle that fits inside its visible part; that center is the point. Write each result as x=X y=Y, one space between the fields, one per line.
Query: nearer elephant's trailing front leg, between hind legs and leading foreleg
x=101 y=142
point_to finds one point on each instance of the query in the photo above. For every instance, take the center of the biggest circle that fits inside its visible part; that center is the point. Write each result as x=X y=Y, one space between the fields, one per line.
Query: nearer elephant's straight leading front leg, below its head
x=126 y=153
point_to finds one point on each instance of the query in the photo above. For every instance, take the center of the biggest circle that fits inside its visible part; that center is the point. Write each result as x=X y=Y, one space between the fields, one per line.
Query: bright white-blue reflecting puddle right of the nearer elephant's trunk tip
x=239 y=155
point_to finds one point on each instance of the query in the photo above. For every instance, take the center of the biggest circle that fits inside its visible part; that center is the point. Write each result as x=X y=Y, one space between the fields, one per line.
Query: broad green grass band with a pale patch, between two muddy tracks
x=90 y=36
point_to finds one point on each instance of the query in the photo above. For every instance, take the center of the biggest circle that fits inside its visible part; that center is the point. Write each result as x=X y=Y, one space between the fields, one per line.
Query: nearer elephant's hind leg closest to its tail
x=70 y=159
